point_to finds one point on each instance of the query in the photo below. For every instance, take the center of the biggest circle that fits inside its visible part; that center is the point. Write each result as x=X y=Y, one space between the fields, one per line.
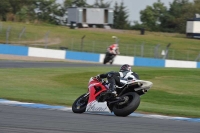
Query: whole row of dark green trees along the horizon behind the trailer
x=155 y=17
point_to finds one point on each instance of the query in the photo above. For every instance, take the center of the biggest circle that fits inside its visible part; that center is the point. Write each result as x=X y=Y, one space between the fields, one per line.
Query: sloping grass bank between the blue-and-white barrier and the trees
x=97 y=41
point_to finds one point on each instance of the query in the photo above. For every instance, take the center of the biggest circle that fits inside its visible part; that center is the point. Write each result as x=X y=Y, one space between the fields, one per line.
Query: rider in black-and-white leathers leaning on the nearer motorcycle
x=118 y=78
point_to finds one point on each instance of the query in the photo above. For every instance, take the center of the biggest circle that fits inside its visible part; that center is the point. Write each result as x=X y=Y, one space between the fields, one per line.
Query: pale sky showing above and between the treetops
x=133 y=6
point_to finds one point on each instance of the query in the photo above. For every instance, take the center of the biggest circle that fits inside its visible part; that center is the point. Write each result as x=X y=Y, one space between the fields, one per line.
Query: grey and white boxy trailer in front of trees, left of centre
x=90 y=17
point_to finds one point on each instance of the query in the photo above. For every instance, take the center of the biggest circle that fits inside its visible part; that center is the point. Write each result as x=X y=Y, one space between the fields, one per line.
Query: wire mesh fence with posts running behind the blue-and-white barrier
x=19 y=36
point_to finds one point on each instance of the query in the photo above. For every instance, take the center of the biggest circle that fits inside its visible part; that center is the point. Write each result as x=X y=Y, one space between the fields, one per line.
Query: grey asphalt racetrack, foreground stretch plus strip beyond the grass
x=16 y=119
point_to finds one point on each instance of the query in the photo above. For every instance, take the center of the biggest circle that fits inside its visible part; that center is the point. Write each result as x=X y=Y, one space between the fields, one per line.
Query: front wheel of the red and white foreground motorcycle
x=80 y=104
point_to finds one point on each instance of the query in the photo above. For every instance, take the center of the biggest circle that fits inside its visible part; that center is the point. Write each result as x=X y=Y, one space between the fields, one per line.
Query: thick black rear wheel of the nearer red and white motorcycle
x=131 y=103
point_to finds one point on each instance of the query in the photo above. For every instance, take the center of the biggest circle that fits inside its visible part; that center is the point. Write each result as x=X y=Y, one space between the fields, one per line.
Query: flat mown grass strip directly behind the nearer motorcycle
x=174 y=92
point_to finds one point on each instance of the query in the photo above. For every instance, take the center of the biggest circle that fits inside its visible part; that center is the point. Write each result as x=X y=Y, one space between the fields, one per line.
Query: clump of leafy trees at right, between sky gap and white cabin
x=173 y=19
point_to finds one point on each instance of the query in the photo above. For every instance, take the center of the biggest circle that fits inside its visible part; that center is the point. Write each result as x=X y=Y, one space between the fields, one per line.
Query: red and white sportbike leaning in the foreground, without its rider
x=97 y=99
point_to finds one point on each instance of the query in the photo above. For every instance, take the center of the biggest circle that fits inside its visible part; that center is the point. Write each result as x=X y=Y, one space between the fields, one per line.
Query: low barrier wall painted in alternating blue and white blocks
x=93 y=57
